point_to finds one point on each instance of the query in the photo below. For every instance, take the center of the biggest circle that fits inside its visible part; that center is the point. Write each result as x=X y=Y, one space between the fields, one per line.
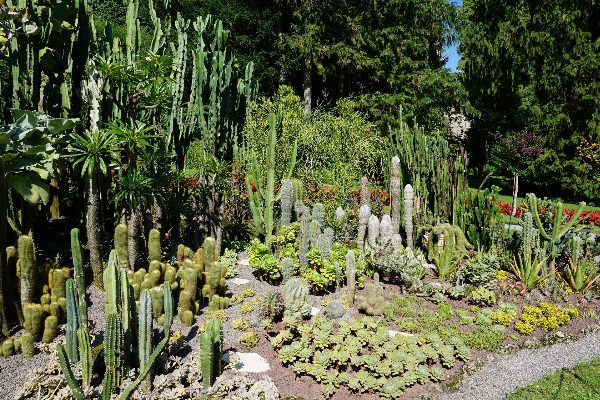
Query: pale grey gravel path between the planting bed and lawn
x=504 y=375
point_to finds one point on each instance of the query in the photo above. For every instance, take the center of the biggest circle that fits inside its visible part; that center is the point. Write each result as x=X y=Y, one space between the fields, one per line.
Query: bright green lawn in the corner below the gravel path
x=581 y=382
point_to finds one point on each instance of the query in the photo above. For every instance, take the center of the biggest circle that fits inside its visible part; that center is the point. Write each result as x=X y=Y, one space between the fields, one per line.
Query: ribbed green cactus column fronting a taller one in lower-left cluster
x=113 y=342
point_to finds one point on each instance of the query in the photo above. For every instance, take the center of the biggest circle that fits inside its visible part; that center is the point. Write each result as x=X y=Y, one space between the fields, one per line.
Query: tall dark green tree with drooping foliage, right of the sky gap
x=535 y=66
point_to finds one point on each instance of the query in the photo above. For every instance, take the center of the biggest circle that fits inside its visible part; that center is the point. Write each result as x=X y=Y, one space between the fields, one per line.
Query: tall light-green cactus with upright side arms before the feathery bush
x=262 y=198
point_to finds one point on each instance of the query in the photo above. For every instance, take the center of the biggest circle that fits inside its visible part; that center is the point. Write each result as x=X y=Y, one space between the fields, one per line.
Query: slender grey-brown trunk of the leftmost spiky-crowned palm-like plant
x=93 y=230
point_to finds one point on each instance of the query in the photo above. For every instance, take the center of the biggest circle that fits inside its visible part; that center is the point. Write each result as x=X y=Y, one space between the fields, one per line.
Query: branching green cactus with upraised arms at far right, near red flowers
x=559 y=230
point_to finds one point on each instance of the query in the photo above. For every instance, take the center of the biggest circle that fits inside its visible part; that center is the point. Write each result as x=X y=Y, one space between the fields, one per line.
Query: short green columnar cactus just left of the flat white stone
x=211 y=353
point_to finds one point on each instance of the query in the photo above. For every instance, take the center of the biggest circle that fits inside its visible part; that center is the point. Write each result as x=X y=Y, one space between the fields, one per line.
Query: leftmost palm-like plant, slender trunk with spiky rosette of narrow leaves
x=95 y=151
